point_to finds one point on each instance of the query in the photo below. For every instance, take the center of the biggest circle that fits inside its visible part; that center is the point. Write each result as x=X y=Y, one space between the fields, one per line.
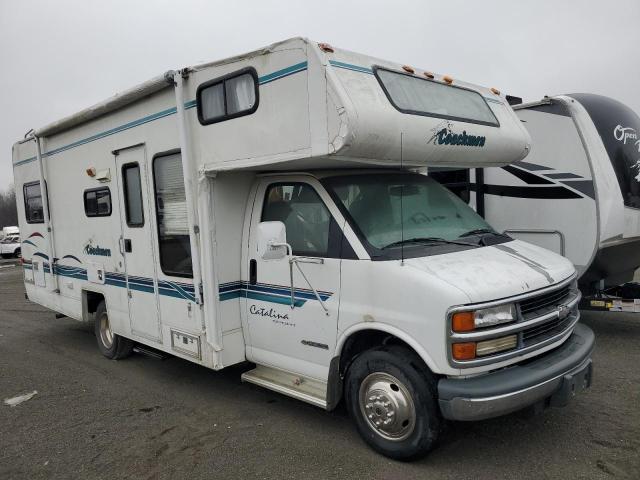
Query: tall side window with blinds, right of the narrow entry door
x=171 y=211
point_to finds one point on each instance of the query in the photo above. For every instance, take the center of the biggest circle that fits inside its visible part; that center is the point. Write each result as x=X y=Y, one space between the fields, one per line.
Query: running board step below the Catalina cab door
x=296 y=386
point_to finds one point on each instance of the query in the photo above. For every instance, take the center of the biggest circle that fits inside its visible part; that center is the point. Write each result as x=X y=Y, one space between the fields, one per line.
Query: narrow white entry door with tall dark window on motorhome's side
x=136 y=242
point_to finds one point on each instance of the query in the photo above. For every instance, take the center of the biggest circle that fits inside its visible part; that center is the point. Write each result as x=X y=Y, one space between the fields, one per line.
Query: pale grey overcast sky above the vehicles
x=58 y=57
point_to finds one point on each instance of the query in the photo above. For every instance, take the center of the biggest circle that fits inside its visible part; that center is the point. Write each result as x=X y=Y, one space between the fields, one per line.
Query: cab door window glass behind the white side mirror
x=303 y=213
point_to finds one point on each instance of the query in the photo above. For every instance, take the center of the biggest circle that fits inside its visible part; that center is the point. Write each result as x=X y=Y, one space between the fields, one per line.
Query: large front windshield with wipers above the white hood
x=433 y=217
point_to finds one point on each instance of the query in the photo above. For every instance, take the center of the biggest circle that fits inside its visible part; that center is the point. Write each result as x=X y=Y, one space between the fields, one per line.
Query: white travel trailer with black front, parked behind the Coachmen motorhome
x=577 y=193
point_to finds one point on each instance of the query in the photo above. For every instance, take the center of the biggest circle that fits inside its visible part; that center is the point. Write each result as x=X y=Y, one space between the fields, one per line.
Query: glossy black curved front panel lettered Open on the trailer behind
x=619 y=128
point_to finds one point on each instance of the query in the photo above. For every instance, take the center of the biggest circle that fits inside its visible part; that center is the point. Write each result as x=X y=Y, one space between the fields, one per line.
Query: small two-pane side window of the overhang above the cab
x=228 y=97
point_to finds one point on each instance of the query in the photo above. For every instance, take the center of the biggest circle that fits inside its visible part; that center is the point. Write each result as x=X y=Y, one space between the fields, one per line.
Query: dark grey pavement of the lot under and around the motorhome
x=170 y=419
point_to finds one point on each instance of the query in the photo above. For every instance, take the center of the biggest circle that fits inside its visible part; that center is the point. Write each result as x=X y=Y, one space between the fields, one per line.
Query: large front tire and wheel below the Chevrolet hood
x=392 y=387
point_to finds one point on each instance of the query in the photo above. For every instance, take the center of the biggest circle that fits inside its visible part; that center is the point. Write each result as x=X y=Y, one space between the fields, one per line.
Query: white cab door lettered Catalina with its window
x=300 y=339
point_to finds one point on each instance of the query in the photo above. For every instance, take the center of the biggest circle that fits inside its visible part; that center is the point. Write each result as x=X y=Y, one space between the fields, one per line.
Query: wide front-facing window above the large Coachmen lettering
x=421 y=96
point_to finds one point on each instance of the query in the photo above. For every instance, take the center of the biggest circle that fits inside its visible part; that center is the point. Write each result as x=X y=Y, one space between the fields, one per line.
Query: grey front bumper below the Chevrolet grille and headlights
x=557 y=376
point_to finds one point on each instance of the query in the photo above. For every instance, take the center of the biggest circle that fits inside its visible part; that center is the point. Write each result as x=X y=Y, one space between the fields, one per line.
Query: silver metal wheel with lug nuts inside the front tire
x=387 y=405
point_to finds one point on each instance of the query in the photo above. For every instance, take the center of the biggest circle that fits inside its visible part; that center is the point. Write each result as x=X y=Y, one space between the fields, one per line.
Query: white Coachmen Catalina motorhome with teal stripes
x=264 y=208
